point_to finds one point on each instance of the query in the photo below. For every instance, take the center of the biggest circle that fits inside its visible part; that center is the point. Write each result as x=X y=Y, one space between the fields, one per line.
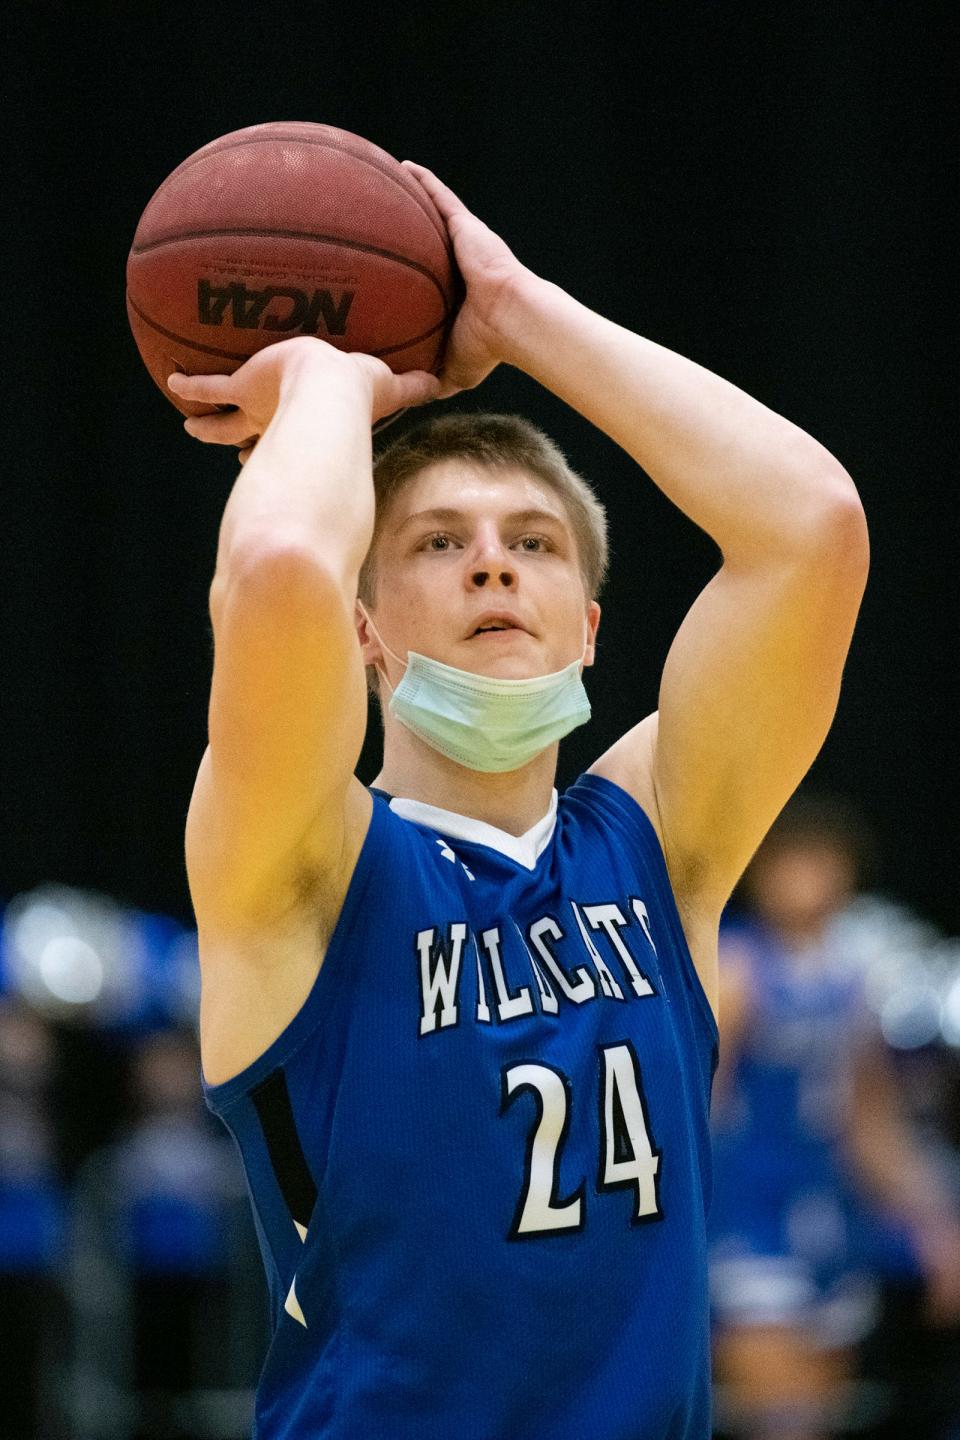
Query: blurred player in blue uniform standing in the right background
x=820 y=1179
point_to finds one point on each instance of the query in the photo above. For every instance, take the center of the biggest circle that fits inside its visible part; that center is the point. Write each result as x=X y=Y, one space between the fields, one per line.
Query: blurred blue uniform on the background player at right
x=785 y=1220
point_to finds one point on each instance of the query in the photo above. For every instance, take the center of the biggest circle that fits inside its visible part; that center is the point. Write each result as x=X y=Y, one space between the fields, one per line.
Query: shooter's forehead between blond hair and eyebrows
x=477 y=490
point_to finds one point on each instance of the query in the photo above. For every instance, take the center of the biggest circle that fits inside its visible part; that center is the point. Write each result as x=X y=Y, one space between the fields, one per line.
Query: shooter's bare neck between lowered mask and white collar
x=513 y=803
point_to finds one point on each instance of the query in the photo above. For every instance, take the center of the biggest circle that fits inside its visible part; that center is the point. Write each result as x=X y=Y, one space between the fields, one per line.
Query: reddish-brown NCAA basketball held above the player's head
x=289 y=230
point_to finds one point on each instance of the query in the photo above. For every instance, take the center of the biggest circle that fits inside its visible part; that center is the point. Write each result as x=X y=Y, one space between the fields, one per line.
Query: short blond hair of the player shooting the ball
x=497 y=443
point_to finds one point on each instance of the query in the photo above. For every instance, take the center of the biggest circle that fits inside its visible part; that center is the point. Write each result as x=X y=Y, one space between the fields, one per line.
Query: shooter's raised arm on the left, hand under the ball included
x=289 y=709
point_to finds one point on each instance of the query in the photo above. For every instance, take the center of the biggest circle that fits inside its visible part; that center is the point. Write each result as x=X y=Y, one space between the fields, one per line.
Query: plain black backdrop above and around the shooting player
x=764 y=188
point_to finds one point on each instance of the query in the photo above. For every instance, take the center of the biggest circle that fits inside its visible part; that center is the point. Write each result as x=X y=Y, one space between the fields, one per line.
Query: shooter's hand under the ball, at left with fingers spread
x=268 y=377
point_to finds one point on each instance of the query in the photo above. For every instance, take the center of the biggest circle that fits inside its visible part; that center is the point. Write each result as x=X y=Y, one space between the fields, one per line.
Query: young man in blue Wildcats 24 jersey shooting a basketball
x=464 y=1033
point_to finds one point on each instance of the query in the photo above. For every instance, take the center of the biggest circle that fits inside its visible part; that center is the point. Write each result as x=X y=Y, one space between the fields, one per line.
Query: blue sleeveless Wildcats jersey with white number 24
x=480 y=1154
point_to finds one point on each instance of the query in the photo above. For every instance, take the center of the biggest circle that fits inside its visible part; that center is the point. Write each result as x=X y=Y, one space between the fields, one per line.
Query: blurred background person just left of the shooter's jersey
x=152 y=1249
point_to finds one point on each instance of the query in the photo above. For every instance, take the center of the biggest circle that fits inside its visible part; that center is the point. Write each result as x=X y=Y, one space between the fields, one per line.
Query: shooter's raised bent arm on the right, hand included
x=751 y=685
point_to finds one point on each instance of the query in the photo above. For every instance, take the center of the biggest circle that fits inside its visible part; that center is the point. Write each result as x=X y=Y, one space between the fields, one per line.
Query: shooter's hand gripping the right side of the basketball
x=490 y=271
